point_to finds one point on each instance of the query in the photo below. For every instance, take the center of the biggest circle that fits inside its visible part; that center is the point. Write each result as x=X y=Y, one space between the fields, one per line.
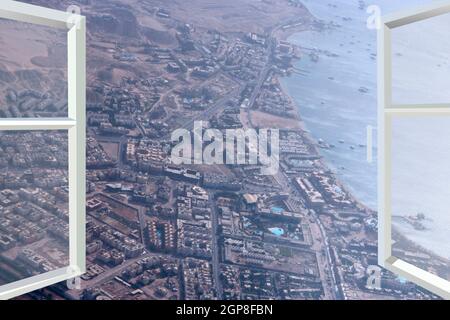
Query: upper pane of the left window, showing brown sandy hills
x=33 y=70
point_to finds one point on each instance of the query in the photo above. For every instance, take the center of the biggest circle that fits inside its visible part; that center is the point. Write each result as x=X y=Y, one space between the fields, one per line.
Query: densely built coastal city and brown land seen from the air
x=163 y=231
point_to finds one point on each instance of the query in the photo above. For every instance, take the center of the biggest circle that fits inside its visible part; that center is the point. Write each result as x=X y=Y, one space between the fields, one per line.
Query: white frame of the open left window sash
x=76 y=128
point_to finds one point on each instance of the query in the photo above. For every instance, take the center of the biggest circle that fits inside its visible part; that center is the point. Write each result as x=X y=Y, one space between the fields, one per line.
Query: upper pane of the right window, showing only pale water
x=421 y=62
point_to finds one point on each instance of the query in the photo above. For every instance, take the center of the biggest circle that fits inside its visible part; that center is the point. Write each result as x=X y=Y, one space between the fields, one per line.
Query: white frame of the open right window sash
x=386 y=111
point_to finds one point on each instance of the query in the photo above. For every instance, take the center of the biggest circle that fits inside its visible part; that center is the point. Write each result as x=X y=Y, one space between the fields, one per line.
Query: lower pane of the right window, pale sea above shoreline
x=421 y=191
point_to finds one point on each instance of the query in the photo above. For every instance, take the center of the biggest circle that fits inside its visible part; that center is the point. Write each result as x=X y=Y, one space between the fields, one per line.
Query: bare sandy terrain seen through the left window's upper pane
x=32 y=57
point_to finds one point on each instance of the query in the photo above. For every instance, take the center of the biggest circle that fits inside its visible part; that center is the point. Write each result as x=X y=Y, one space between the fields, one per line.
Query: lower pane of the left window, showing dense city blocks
x=33 y=203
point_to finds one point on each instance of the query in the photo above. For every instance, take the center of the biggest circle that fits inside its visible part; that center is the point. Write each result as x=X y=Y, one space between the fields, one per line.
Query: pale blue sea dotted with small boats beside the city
x=336 y=96
